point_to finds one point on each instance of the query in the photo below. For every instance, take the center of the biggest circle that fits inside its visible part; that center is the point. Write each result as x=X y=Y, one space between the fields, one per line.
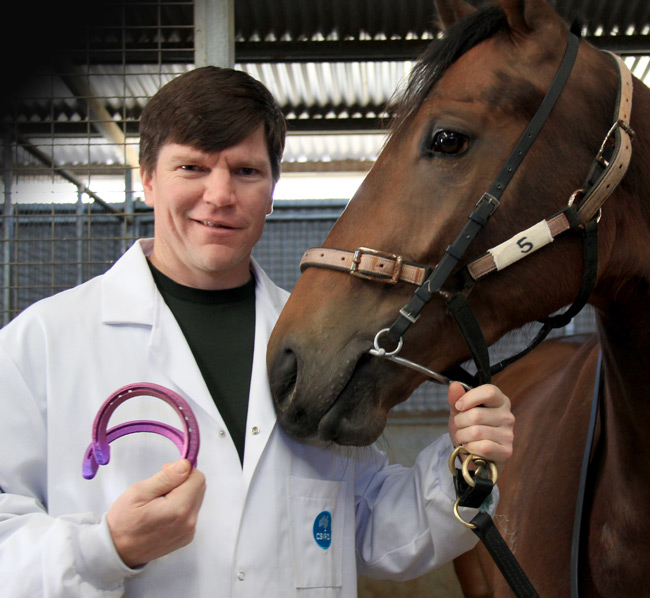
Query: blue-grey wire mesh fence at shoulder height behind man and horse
x=49 y=248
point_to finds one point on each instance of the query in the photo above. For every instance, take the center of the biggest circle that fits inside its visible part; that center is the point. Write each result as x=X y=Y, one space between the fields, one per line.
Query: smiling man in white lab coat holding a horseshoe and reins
x=262 y=515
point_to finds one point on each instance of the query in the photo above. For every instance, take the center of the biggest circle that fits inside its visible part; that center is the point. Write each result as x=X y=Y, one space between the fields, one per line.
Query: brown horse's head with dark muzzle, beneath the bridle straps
x=467 y=103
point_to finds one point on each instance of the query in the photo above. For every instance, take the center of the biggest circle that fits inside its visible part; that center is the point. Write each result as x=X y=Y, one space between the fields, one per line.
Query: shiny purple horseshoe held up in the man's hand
x=99 y=452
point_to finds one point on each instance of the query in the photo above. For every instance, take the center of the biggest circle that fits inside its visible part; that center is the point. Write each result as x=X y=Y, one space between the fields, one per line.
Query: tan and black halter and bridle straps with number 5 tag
x=607 y=170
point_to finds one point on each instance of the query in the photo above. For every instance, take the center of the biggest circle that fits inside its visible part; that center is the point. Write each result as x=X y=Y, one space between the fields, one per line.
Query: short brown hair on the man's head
x=210 y=109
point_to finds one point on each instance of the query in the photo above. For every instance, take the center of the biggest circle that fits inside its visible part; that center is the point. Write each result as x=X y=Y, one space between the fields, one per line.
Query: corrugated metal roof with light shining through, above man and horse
x=126 y=50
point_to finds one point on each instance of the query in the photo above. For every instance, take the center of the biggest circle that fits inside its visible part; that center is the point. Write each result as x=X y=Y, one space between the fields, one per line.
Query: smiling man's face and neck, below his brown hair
x=209 y=211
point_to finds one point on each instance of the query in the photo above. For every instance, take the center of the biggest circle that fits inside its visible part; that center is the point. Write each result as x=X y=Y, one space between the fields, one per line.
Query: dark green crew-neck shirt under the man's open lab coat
x=219 y=327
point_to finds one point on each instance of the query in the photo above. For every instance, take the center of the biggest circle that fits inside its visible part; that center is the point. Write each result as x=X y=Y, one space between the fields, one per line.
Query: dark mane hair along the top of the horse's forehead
x=440 y=55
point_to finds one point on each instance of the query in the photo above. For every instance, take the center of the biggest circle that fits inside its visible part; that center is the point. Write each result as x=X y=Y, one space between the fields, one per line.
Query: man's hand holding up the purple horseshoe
x=158 y=515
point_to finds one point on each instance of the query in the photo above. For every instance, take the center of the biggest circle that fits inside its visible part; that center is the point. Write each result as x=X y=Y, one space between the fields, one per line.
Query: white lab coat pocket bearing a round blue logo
x=316 y=514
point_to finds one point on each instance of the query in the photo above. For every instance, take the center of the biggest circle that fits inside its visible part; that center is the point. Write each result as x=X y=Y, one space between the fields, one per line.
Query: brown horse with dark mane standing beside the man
x=467 y=104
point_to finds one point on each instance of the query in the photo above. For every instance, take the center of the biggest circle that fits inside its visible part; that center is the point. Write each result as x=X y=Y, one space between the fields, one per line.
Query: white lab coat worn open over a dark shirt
x=65 y=355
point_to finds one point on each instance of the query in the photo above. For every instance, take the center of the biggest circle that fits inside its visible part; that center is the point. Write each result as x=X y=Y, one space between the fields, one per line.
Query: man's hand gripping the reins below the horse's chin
x=481 y=420
